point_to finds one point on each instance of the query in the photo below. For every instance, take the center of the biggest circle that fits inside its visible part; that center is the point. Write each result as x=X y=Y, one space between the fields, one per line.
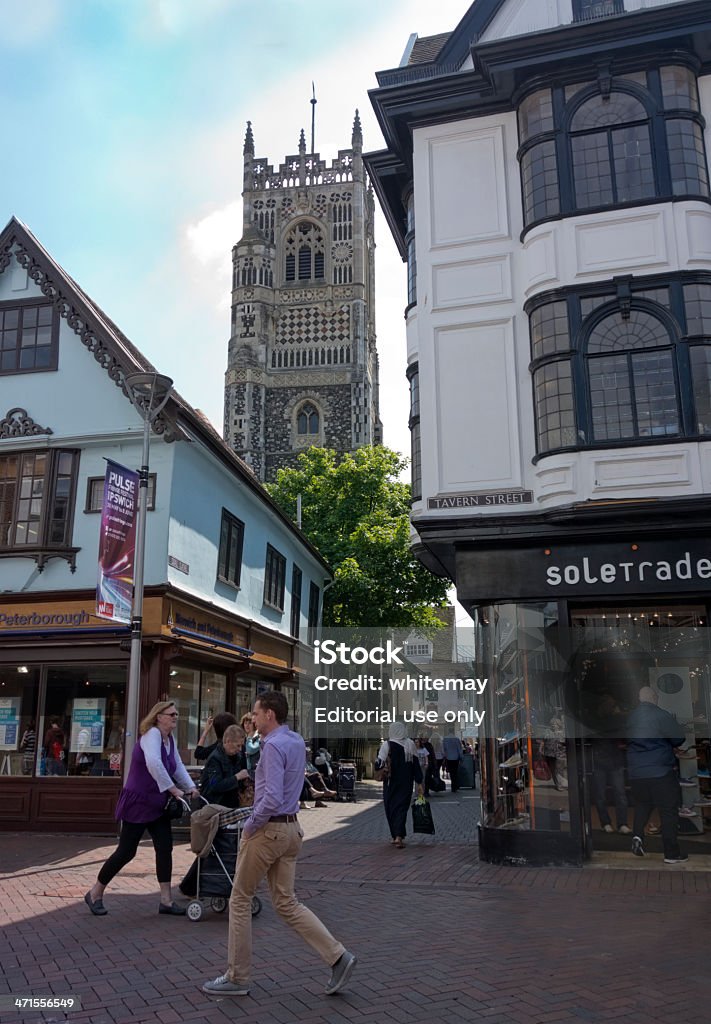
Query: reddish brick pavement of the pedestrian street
x=438 y=935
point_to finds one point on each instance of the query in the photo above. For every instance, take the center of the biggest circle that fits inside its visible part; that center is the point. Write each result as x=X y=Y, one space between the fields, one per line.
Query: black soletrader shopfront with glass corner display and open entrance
x=579 y=629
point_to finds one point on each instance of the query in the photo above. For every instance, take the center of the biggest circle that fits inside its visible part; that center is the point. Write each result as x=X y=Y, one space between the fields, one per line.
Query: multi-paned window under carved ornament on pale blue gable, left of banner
x=37 y=499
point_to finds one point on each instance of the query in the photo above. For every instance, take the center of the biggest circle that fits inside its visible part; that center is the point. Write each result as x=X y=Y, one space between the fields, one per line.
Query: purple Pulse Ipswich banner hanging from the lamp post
x=117 y=544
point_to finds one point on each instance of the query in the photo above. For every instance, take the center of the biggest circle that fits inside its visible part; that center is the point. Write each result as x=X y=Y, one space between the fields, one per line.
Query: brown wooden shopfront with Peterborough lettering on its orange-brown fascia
x=63 y=698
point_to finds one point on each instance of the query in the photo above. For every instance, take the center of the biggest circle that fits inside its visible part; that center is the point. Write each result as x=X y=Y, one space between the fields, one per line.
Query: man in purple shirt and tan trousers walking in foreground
x=271 y=843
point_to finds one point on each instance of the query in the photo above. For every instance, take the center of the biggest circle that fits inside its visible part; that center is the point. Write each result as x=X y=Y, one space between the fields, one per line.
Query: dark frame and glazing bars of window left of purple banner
x=51 y=500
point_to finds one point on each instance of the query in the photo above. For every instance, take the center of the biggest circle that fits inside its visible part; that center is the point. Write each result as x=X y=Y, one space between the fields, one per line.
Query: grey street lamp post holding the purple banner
x=149 y=393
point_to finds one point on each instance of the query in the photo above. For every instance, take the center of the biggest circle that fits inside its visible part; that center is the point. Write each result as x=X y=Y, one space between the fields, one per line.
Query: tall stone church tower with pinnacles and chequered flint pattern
x=303 y=366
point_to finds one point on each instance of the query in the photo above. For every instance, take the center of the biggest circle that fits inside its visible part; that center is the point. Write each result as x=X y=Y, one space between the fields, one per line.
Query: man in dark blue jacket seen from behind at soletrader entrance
x=653 y=736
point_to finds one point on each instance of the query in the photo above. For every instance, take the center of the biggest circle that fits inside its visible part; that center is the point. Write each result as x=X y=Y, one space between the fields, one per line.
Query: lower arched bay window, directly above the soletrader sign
x=624 y=362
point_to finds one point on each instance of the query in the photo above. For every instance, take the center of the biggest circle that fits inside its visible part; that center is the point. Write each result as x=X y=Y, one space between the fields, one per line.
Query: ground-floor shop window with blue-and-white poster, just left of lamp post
x=81 y=726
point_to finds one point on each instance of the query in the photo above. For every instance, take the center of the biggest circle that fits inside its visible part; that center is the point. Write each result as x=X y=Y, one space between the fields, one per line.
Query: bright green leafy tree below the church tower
x=356 y=511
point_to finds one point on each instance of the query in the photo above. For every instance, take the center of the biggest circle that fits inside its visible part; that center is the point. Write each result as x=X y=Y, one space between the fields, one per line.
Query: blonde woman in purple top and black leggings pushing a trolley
x=156 y=774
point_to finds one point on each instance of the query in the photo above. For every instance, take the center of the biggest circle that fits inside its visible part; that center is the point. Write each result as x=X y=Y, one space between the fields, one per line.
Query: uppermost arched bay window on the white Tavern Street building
x=608 y=143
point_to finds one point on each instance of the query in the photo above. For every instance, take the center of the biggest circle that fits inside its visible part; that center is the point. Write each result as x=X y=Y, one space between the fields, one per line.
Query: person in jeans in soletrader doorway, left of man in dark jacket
x=609 y=766
